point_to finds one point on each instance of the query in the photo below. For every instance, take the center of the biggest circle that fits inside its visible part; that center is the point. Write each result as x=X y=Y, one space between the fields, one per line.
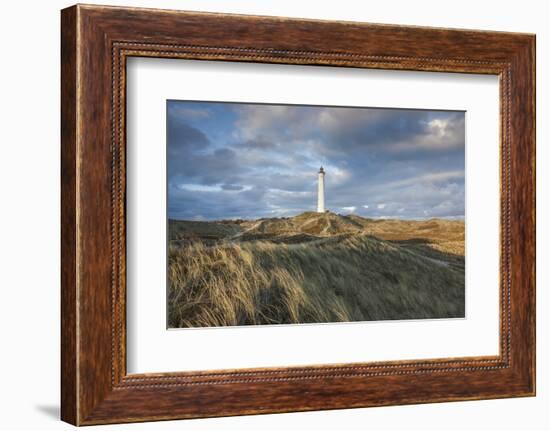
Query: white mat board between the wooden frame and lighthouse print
x=151 y=348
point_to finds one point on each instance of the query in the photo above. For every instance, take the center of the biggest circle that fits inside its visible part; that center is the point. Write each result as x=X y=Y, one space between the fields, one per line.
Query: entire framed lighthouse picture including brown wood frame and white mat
x=262 y=214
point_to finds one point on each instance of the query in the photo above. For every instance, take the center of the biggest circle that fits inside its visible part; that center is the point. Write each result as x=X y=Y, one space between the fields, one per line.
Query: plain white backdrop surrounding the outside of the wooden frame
x=29 y=229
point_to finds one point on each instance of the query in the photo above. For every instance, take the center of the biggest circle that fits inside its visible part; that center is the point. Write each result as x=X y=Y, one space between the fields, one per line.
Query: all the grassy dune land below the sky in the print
x=314 y=268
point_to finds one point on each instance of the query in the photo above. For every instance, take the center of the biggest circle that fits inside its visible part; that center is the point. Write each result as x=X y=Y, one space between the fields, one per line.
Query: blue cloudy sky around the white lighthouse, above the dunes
x=234 y=160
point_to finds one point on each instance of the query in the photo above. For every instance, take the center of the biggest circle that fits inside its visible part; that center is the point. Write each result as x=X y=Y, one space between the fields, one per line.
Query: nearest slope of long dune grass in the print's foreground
x=339 y=278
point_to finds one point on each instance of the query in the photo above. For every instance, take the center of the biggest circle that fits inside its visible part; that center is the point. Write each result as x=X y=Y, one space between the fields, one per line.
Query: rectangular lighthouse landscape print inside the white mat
x=293 y=214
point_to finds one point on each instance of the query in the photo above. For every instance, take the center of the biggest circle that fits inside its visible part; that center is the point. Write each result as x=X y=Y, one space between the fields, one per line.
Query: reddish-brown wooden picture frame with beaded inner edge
x=95 y=43
